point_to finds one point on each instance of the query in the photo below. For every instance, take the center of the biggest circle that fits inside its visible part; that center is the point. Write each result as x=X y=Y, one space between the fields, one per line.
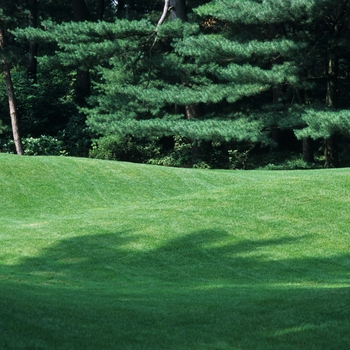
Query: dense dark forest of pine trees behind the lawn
x=235 y=84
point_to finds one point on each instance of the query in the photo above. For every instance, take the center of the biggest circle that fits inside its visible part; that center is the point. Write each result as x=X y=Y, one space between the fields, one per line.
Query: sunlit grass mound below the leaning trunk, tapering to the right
x=60 y=183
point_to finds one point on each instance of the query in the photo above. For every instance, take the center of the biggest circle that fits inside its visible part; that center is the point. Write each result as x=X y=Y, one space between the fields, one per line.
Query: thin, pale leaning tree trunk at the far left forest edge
x=11 y=97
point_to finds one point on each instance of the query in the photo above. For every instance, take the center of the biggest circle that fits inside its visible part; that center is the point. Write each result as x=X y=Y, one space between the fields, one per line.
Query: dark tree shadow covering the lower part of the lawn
x=199 y=291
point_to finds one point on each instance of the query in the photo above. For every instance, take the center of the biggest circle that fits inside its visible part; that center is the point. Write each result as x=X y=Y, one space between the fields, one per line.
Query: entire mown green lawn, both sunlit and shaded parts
x=109 y=255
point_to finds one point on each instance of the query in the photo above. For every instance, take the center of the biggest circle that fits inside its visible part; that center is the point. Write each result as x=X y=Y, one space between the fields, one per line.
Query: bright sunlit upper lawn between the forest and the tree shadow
x=63 y=197
